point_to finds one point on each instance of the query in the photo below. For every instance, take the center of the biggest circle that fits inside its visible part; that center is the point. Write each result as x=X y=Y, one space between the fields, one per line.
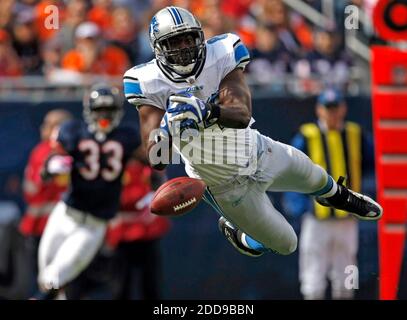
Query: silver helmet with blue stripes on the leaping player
x=177 y=40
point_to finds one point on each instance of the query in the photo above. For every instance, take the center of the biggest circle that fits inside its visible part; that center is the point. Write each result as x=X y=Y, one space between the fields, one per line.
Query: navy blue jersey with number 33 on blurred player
x=98 y=167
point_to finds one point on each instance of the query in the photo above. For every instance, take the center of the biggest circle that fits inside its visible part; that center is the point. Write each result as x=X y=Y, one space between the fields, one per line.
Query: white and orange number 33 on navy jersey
x=114 y=153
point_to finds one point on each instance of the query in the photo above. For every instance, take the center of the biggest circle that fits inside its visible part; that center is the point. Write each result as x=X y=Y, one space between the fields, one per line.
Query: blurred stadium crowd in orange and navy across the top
x=106 y=37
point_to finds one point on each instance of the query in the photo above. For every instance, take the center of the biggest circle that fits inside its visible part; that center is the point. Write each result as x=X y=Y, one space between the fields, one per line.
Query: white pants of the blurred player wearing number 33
x=70 y=241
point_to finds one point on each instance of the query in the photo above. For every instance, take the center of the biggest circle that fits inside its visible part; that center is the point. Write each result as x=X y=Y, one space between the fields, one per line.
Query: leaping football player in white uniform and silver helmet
x=193 y=83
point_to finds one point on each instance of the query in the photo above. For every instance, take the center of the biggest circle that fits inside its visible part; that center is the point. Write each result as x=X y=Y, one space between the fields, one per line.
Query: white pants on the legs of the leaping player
x=244 y=201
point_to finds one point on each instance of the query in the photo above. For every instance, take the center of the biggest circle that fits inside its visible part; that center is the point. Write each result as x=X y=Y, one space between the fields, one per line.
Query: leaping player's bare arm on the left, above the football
x=150 y=118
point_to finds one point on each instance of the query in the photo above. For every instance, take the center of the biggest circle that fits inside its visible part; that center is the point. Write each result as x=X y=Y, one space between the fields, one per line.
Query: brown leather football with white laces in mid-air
x=177 y=196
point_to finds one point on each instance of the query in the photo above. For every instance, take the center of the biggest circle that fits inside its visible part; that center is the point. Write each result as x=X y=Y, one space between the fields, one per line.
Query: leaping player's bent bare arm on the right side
x=234 y=101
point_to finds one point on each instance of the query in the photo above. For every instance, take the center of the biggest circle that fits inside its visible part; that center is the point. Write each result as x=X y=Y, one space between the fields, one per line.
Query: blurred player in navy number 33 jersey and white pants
x=94 y=152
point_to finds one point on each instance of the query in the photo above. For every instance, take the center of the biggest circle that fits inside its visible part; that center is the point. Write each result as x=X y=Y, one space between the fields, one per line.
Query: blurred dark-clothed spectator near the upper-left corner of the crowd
x=26 y=43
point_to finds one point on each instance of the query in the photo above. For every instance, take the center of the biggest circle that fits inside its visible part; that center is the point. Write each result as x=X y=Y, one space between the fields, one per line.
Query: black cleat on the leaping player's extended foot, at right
x=359 y=205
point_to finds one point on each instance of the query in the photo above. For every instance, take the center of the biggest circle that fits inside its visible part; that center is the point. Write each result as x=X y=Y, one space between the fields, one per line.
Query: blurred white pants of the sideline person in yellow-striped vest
x=327 y=248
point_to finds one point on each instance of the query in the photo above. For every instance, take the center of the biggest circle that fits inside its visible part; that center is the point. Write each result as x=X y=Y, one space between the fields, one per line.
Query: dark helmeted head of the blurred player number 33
x=103 y=109
